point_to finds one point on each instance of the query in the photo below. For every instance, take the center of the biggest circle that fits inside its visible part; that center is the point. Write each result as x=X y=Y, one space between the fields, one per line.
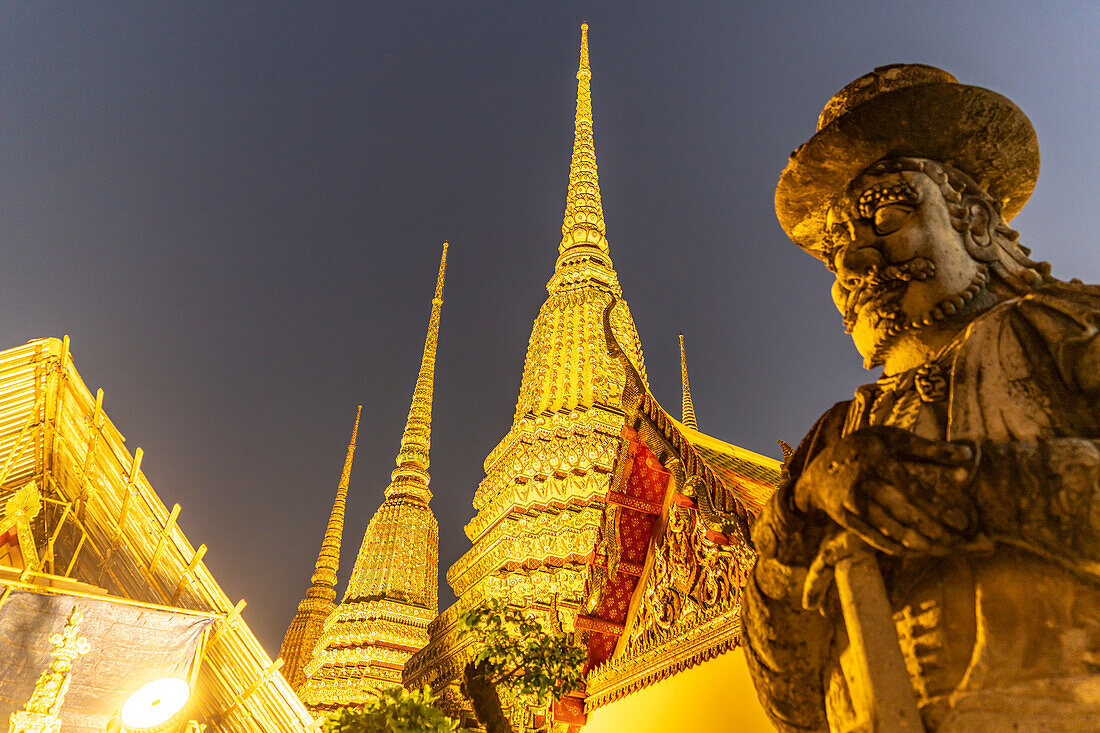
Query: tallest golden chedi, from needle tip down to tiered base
x=540 y=507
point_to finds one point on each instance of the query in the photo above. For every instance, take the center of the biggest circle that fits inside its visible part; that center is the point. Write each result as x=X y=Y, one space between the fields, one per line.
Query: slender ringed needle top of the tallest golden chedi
x=584 y=225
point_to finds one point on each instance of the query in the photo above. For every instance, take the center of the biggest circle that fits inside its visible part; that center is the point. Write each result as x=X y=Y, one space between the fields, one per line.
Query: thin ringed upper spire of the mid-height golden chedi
x=411 y=477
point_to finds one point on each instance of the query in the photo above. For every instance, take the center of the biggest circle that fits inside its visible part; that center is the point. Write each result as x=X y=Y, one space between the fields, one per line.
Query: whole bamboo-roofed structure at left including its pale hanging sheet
x=83 y=528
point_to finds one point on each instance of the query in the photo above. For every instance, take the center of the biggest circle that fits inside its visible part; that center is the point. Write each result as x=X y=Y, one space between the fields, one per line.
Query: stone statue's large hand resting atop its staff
x=900 y=494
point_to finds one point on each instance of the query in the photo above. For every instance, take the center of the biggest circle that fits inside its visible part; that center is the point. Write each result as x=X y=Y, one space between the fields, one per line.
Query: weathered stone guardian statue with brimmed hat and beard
x=969 y=474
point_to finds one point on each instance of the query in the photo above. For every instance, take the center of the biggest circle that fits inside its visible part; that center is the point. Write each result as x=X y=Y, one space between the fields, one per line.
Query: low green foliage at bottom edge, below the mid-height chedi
x=394 y=710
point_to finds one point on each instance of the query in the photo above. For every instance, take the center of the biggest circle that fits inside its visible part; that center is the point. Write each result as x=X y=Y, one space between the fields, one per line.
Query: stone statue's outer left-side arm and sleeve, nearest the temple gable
x=786 y=647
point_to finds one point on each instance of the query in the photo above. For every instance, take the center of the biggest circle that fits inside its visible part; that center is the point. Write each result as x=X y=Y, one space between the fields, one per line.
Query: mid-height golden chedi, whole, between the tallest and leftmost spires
x=393 y=593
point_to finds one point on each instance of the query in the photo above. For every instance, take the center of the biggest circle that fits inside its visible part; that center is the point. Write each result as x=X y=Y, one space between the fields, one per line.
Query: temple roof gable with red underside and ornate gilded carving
x=678 y=496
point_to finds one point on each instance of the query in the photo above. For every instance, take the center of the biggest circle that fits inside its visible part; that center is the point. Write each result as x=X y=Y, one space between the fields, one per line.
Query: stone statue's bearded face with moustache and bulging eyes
x=901 y=268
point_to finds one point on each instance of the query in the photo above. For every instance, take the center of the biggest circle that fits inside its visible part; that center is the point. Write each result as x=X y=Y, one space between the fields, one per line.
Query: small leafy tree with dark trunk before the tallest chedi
x=515 y=653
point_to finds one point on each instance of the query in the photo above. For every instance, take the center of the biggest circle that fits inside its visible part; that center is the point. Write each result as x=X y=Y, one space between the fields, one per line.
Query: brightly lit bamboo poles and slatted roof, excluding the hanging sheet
x=111 y=521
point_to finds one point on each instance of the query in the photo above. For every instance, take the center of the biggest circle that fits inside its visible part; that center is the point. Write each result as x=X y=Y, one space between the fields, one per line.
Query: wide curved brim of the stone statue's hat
x=975 y=130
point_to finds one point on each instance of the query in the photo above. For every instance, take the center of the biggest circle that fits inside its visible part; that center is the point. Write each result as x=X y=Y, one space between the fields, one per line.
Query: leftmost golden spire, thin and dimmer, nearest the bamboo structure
x=305 y=629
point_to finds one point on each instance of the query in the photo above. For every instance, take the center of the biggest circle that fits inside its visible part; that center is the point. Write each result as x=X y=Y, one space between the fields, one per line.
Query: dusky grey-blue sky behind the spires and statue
x=236 y=212
